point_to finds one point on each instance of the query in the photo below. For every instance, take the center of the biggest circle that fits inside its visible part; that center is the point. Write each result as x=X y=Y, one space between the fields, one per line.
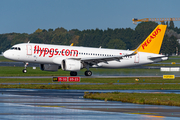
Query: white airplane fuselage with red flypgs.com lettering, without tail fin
x=54 y=54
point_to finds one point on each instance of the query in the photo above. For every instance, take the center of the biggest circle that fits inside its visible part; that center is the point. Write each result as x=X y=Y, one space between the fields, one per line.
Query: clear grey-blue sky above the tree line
x=26 y=16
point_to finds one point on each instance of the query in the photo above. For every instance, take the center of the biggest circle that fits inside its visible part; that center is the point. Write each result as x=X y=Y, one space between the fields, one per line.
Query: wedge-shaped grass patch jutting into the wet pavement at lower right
x=139 y=98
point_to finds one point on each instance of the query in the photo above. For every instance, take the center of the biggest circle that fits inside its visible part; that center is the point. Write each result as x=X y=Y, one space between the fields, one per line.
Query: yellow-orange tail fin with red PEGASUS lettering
x=153 y=42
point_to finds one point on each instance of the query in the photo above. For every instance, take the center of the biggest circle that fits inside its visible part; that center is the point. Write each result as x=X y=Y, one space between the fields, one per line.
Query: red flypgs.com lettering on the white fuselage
x=54 y=51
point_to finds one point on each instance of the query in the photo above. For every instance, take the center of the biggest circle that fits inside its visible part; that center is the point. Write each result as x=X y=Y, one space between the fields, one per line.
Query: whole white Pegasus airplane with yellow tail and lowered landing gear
x=74 y=58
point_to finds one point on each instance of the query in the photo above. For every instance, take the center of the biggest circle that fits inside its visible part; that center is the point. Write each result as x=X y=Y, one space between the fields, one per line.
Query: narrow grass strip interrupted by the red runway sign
x=94 y=80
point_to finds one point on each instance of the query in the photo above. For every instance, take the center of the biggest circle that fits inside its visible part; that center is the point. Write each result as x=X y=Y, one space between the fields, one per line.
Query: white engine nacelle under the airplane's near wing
x=71 y=65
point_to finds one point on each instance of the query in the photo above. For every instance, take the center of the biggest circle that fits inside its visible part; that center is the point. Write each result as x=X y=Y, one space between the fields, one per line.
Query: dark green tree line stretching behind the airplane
x=119 y=38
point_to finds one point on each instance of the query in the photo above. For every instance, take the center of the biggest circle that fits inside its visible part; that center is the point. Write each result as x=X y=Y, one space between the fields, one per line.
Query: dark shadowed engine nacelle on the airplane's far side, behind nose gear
x=49 y=67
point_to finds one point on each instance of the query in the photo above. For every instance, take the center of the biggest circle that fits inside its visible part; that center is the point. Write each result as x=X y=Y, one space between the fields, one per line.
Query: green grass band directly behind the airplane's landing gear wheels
x=17 y=71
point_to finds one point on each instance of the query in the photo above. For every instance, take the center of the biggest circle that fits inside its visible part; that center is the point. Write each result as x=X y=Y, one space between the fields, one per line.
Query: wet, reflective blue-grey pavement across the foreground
x=70 y=104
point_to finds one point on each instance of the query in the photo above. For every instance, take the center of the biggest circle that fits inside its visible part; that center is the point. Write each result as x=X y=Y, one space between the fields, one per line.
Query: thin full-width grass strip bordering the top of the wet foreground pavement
x=97 y=87
